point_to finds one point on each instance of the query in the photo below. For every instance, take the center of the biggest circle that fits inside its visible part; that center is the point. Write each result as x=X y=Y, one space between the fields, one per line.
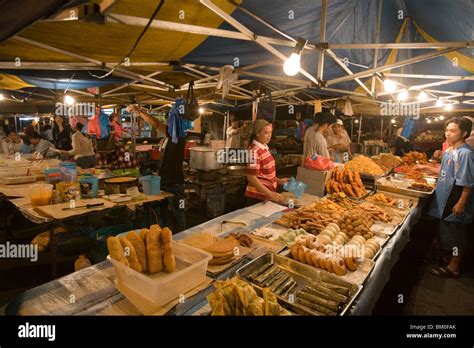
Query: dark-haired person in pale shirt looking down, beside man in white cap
x=314 y=141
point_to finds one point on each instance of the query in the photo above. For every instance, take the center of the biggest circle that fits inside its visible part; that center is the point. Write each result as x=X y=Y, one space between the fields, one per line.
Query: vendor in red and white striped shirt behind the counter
x=261 y=170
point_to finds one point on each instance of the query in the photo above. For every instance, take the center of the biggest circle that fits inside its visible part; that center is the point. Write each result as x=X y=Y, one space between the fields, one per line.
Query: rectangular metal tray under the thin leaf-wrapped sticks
x=304 y=275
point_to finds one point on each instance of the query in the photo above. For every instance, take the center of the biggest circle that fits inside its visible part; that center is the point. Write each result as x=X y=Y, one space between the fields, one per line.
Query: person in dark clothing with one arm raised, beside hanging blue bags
x=171 y=167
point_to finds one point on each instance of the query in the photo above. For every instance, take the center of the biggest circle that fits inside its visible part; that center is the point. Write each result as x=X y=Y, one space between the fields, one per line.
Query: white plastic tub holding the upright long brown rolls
x=161 y=288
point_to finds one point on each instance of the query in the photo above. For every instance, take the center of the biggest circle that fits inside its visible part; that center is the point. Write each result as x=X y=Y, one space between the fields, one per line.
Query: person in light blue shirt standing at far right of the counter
x=453 y=201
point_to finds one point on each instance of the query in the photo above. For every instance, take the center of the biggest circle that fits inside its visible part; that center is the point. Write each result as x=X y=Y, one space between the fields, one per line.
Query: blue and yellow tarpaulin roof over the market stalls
x=348 y=22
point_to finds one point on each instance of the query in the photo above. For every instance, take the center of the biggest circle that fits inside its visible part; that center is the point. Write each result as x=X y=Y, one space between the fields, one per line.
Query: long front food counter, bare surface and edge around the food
x=95 y=291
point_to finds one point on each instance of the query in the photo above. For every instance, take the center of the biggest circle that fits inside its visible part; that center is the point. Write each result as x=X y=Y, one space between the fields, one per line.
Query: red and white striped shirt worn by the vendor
x=261 y=164
